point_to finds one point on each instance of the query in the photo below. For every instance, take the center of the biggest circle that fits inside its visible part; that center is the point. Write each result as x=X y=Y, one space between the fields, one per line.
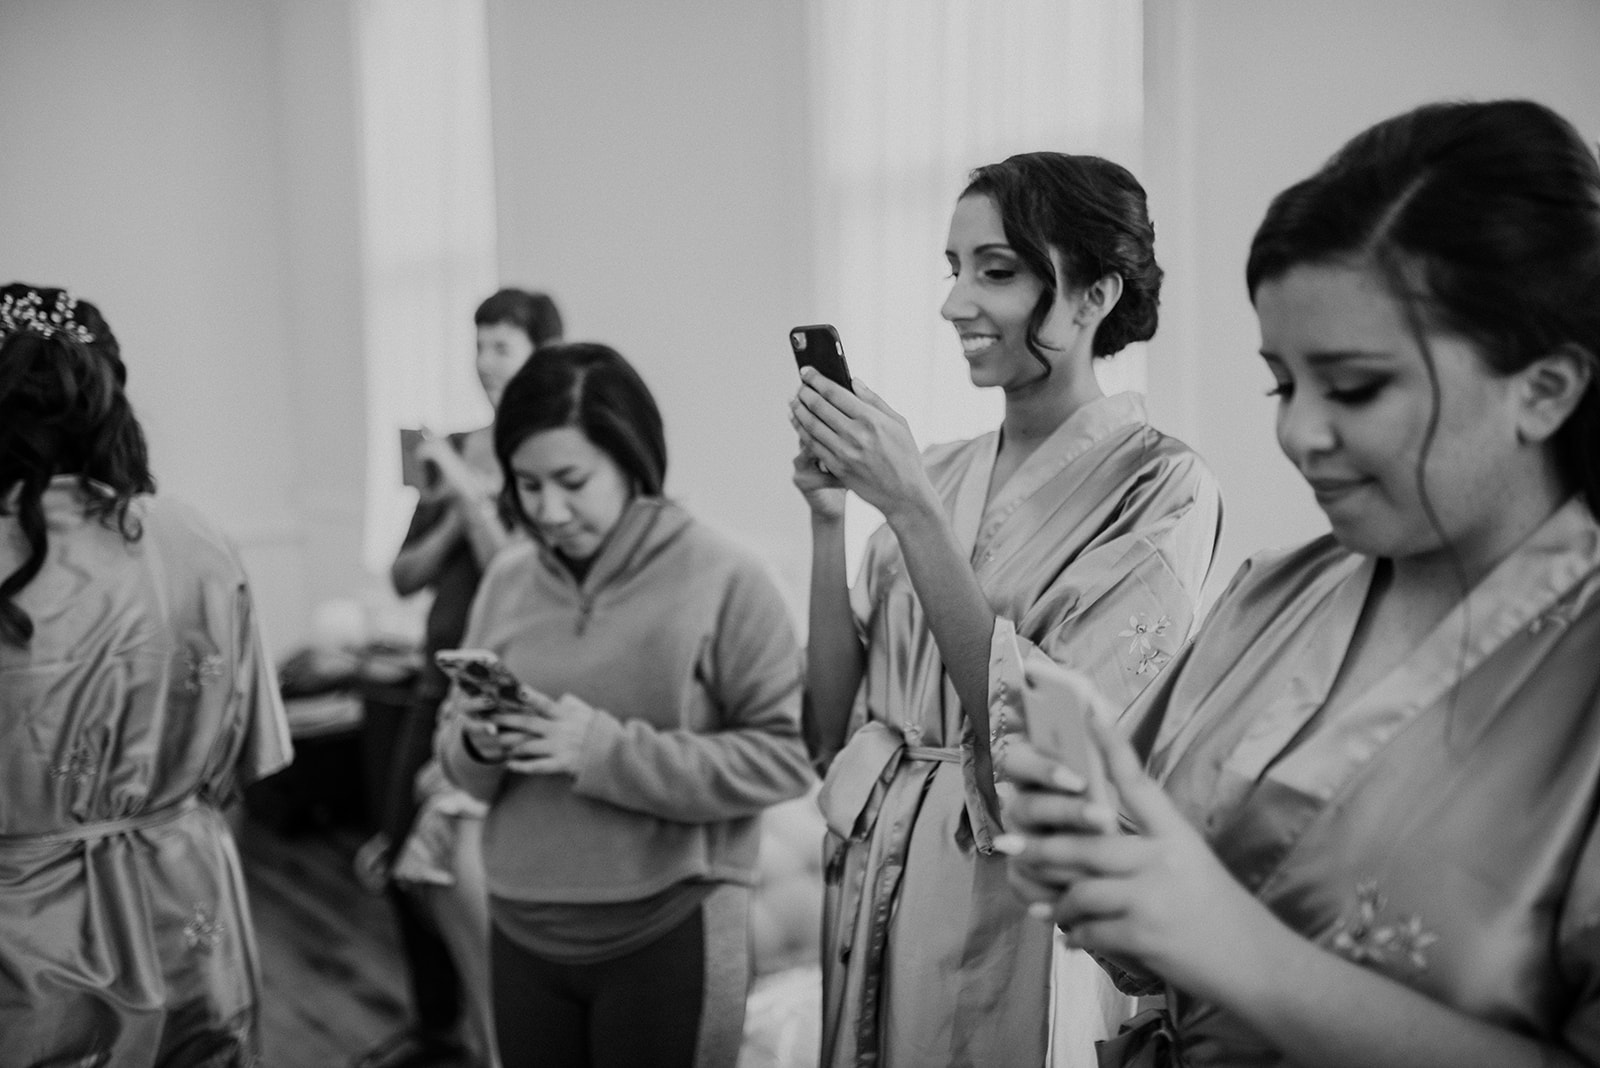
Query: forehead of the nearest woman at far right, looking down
x=1330 y=309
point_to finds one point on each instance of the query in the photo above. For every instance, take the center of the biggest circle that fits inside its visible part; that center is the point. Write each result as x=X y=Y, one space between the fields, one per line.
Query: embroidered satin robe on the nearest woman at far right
x=1439 y=829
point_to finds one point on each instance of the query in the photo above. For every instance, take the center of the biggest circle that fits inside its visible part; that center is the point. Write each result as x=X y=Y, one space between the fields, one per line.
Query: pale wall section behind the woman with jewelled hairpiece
x=170 y=161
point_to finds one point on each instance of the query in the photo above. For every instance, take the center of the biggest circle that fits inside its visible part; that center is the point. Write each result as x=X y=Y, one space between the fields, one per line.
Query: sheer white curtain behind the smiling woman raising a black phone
x=906 y=98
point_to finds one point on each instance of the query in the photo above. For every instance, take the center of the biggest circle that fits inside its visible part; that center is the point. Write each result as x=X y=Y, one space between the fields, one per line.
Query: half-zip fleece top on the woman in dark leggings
x=684 y=645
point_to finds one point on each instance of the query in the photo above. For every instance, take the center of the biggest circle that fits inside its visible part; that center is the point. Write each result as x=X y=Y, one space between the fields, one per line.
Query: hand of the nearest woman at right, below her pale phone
x=1158 y=896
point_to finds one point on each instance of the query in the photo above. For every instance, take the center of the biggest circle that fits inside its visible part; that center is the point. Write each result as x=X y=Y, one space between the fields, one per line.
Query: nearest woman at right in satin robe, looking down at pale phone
x=1382 y=755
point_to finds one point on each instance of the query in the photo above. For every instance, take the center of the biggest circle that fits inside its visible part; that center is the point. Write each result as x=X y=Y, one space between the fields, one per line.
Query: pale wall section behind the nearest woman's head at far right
x=1247 y=97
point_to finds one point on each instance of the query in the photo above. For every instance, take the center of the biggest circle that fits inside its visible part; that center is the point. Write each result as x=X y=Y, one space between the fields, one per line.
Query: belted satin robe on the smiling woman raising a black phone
x=1094 y=554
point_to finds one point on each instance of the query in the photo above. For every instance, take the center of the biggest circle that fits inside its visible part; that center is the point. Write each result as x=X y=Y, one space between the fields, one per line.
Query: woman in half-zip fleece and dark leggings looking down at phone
x=663 y=691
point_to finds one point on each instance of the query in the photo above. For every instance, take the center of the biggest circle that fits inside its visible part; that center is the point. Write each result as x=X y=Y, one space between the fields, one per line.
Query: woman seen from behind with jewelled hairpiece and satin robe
x=135 y=703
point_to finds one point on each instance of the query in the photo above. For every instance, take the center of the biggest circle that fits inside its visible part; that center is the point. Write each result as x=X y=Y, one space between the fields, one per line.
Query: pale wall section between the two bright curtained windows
x=652 y=177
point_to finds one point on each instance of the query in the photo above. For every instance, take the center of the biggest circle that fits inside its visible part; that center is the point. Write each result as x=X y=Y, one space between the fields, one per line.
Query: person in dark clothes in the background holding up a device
x=431 y=842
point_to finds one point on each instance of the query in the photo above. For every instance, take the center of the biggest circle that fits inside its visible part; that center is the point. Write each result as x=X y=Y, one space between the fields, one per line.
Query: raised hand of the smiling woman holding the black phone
x=862 y=442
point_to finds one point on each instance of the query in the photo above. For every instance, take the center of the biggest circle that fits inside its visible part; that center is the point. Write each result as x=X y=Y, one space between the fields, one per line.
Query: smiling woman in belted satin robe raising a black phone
x=1074 y=533
